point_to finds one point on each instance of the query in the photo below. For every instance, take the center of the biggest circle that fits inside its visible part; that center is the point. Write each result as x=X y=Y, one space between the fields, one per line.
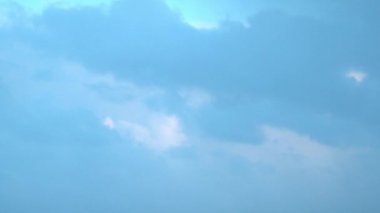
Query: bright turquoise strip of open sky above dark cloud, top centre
x=207 y=14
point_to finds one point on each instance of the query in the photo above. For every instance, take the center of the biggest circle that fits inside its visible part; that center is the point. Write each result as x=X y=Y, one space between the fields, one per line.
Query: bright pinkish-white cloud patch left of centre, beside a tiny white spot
x=159 y=133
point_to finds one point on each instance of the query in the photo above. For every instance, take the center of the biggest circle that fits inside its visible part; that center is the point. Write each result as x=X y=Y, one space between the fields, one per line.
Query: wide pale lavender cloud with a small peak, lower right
x=284 y=148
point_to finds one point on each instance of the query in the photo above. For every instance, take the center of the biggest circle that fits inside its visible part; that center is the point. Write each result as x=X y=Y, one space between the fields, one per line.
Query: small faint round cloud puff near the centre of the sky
x=195 y=98
